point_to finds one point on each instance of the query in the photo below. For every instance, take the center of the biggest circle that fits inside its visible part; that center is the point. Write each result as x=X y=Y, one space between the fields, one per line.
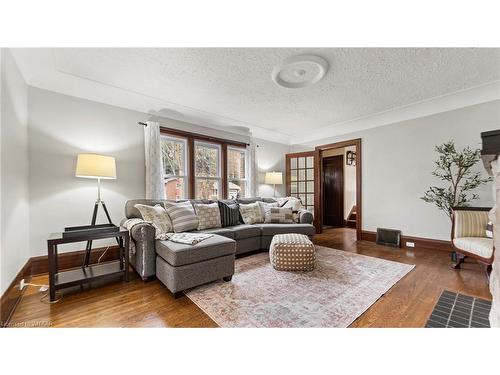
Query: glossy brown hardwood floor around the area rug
x=139 y=304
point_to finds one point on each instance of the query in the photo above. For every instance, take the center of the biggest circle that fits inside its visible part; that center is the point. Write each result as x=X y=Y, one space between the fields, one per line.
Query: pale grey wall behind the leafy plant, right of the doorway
x=397 y=161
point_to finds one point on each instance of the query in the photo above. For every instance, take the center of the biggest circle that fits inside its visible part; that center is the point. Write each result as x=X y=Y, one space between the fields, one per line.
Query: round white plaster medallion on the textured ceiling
x=300 y=71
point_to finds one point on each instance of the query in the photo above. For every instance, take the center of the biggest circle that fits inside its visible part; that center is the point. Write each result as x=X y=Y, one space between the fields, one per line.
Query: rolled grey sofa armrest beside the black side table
x=144 y=259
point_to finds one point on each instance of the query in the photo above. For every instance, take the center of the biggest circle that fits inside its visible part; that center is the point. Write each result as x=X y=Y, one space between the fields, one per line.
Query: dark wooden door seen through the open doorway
x=333 y=191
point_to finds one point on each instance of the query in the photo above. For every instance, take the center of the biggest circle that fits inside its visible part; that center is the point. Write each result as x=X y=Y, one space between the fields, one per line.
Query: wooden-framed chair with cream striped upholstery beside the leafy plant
x=468 y=236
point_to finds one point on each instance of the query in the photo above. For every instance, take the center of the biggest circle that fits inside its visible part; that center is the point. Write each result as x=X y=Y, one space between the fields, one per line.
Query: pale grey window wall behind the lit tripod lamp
x=62 y=126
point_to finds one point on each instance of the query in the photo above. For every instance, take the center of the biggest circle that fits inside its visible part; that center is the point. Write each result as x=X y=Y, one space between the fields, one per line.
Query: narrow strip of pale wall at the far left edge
x=14 y=246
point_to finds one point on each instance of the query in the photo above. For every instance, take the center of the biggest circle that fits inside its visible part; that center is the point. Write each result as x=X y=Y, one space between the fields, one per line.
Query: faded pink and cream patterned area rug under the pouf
x=340 y=289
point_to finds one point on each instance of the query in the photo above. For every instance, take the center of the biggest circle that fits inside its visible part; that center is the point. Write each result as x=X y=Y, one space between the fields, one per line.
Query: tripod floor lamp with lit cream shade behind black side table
x=97 y=167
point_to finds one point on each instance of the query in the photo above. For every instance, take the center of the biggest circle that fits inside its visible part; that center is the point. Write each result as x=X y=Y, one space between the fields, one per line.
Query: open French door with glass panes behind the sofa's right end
x=300 y=177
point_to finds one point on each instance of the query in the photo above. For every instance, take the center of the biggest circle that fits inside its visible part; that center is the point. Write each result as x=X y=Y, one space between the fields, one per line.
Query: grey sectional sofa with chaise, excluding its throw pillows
x=181 y=266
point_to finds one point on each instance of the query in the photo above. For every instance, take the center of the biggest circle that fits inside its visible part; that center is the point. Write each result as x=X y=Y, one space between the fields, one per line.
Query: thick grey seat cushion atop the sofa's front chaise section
x=178 y=254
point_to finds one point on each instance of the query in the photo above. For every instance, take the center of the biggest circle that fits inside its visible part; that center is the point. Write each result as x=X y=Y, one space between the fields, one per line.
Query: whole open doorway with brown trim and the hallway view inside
x=339 y=187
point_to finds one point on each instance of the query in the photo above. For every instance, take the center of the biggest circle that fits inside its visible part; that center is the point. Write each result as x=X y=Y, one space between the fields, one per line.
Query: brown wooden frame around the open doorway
x=318 y=183
